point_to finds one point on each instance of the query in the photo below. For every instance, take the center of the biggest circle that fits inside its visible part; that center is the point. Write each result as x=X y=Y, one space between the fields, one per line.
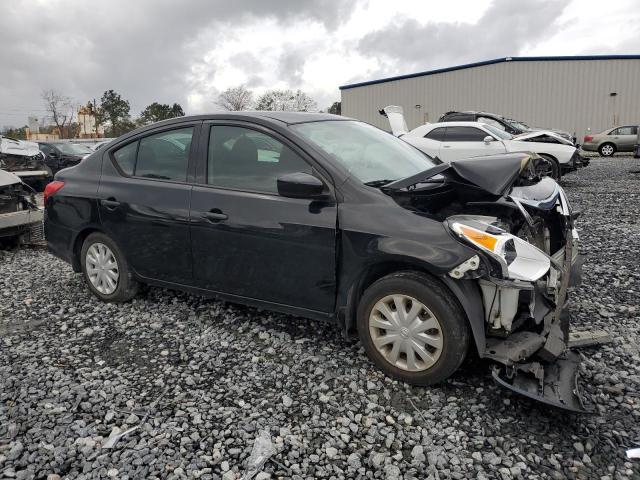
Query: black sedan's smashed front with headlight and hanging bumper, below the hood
x=525 y=271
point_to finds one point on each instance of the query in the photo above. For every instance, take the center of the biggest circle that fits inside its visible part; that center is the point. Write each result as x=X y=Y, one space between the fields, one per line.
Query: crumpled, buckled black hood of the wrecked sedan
x=494 y=173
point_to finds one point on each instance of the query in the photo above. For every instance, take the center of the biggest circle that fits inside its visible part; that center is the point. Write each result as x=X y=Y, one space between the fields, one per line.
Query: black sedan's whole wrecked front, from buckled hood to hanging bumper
x=522 y=228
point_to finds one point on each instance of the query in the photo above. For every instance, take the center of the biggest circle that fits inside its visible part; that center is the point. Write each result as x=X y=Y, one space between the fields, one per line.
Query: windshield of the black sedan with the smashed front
x=367 y=152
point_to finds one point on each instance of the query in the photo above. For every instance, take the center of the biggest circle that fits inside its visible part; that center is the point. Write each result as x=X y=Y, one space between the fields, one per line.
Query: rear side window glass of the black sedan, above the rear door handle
x=163 y=156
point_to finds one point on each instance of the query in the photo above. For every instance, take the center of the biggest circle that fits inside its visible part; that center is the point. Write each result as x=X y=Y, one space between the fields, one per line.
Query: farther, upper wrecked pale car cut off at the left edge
x=24 y=160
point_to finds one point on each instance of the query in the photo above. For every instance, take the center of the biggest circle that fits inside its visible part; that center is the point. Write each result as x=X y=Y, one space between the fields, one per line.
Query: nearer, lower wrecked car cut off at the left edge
x=20 y=217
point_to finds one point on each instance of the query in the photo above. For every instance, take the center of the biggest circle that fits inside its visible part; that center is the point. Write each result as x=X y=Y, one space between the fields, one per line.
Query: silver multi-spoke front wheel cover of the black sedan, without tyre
x=406 y=333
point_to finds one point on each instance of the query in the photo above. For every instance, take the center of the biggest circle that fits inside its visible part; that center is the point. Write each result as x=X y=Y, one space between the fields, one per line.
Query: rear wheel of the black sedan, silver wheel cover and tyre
x=106 y=270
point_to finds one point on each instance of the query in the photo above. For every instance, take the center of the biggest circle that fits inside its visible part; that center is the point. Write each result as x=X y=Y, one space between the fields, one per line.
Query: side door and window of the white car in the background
x=465 y=141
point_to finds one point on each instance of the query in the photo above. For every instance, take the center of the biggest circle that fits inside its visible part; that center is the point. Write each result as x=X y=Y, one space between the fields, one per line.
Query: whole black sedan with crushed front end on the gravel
x=330 y=218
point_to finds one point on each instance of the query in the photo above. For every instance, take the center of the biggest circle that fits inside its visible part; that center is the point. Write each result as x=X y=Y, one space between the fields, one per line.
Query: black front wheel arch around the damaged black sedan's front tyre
x=466 y=293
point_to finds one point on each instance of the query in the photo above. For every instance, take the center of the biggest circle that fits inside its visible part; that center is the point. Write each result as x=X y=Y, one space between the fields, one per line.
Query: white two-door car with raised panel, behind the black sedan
x=451 y=141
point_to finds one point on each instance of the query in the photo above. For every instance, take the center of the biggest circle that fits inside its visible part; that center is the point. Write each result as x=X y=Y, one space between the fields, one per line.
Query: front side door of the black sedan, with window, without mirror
x=247 y=240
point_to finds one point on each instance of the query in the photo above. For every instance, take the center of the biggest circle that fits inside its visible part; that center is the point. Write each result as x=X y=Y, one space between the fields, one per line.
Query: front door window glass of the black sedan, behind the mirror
x=245 y=159
